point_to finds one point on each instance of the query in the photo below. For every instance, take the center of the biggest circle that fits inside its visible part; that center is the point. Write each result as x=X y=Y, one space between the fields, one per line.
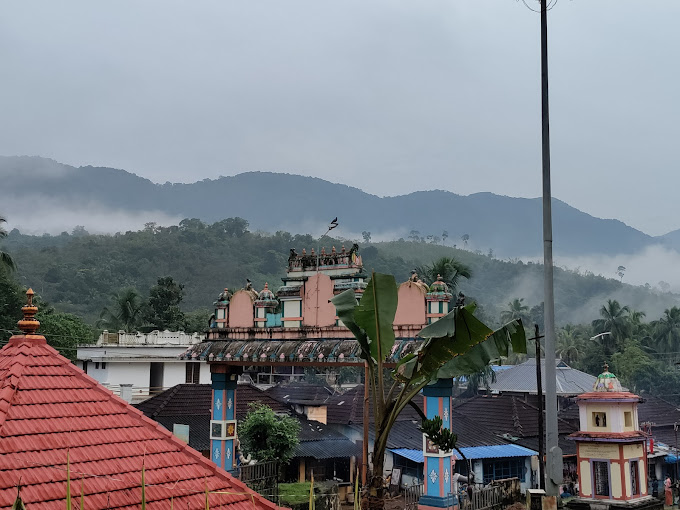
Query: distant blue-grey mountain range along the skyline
x=511 y=227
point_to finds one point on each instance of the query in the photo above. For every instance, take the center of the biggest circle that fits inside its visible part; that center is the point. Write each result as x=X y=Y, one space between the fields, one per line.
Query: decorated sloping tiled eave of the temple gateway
x=285 y=352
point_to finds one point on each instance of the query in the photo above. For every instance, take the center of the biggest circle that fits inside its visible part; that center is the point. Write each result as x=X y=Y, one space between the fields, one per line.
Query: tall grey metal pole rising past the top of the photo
x=554 y=454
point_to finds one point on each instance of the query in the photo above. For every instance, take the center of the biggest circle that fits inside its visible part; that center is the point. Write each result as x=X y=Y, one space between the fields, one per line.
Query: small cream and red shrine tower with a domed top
x=611 y=448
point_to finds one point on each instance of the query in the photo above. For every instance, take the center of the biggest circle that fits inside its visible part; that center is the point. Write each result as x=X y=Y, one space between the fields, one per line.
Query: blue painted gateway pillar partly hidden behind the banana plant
x=438 y=465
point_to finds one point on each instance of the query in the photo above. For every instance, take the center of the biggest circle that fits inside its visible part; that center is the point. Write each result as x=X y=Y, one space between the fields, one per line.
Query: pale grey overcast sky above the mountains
x=386 y=95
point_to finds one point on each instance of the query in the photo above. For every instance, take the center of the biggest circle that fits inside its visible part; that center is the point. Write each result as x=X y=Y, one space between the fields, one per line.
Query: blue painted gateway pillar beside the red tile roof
x=223 y=420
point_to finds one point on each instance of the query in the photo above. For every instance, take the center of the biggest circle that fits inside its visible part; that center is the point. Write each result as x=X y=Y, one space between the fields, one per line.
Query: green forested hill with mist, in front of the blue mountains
x=79 y=272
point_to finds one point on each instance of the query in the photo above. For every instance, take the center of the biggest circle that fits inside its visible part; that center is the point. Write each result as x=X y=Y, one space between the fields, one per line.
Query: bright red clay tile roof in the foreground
x=48 y=407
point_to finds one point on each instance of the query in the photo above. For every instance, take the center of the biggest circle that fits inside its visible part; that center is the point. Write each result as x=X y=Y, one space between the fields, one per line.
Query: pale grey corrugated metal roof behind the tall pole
x=522 y=379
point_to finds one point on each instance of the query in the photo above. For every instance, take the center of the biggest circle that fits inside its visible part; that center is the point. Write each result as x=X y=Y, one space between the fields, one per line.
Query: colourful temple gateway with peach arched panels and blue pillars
x=294 y=326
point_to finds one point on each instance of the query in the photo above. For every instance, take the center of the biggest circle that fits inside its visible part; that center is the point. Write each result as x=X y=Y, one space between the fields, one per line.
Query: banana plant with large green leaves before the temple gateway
x=457 y=344
